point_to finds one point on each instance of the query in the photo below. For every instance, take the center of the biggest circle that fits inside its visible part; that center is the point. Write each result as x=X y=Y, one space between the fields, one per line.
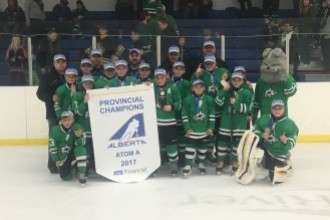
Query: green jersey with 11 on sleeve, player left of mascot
x=234 y=117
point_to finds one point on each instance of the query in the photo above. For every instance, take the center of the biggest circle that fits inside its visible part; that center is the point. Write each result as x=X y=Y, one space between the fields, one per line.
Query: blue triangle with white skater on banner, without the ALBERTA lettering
x=134 y=127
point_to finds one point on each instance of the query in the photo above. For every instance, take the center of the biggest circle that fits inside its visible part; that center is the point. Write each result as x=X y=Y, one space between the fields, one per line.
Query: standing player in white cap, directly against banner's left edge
x=80 y=108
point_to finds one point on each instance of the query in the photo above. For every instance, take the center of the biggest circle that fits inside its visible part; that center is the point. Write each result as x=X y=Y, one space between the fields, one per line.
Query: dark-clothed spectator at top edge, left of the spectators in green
x=124 y=11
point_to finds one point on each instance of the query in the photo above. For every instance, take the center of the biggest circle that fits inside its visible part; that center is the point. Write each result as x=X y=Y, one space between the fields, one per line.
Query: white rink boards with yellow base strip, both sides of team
x=23 y=115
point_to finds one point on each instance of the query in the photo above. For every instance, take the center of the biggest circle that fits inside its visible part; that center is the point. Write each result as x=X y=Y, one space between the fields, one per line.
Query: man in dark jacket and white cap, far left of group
x=50 y=81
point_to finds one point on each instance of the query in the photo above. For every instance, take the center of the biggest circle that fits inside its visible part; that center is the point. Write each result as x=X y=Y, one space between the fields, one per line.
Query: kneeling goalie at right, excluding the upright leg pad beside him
x=278 y=135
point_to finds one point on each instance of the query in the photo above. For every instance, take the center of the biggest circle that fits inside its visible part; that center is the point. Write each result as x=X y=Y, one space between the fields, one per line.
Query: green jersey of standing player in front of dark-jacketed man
x=65 y=99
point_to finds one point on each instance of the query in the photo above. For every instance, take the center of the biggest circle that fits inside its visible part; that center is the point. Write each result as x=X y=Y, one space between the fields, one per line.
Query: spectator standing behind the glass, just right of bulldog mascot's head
x=294 y=55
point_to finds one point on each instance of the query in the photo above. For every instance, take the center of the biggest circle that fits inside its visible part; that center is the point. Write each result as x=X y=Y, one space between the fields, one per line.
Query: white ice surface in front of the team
x=29 y=192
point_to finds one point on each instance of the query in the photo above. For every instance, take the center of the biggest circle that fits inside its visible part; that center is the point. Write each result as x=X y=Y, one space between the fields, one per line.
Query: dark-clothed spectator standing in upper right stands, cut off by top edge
x=307 y=22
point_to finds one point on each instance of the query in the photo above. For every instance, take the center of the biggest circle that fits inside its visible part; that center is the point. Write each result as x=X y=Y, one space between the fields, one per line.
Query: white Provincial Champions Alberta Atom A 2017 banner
x=125 y=135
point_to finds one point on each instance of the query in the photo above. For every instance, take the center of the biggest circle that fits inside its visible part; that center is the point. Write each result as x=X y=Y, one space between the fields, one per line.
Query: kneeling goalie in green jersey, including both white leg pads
x=278 y=135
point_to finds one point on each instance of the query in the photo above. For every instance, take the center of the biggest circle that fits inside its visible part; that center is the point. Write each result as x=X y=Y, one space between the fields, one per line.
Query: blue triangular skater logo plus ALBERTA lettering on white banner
x=130 y=133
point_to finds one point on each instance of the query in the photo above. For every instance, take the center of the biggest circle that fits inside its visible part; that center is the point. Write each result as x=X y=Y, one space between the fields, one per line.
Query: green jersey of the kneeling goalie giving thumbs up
x=283 y=126
